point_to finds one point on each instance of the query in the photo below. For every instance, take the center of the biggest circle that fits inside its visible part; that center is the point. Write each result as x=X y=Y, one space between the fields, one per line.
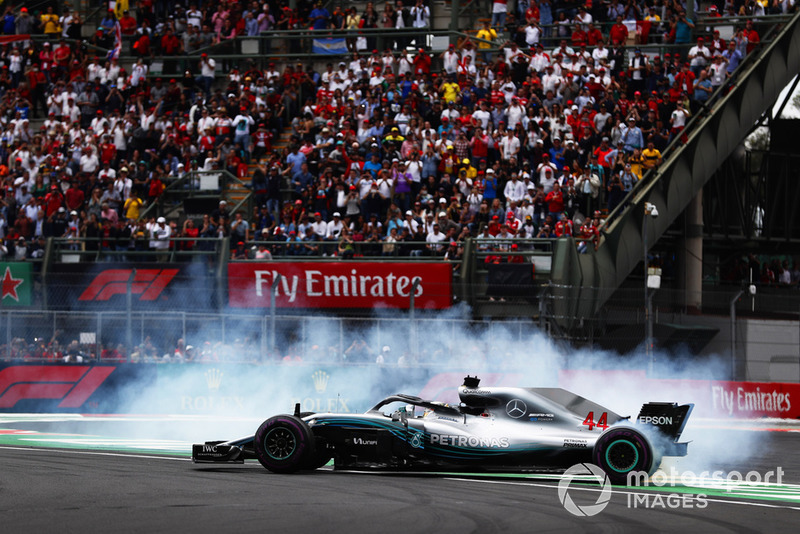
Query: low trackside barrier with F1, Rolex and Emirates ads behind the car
x=260 y=390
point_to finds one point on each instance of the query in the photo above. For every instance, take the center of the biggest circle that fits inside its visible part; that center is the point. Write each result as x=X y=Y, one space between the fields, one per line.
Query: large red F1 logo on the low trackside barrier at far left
x=73 y=384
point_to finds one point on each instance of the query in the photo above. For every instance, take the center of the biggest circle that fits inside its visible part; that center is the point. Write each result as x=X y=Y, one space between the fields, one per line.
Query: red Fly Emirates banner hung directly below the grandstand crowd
x=340 y=285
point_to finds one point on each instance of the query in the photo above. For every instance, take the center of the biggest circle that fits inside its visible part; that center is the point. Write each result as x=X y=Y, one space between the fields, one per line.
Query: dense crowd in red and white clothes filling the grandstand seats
x=393 y=152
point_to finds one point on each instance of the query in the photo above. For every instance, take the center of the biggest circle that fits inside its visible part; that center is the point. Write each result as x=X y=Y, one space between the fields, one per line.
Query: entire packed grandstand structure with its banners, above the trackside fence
x=517 y=149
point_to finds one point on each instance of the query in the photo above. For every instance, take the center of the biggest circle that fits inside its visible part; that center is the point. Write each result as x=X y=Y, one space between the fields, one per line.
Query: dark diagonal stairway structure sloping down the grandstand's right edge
x=582 y=283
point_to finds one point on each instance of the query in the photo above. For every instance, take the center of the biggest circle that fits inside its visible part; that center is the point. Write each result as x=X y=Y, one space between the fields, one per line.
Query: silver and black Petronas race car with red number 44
x=492 y=428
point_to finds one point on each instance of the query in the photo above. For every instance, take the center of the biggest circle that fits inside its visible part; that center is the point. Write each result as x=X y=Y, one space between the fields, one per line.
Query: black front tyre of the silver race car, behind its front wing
x=283 y=444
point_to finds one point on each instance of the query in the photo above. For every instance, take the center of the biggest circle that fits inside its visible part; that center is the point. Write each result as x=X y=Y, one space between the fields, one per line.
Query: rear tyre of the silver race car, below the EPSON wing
x=621 y=451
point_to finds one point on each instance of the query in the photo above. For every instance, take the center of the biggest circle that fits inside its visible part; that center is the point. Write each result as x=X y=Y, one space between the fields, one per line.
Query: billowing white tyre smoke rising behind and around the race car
x=513 y=354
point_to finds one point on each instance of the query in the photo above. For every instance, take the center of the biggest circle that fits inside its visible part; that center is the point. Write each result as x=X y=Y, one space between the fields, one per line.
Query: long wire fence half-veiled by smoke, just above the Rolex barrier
x=106 y=336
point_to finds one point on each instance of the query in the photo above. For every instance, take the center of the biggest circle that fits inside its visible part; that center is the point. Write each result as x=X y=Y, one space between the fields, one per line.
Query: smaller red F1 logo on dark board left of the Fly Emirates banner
x=149 y=283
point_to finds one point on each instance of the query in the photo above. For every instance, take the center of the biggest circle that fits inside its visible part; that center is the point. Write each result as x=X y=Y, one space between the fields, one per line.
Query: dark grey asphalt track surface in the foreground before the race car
x=60 y=490
